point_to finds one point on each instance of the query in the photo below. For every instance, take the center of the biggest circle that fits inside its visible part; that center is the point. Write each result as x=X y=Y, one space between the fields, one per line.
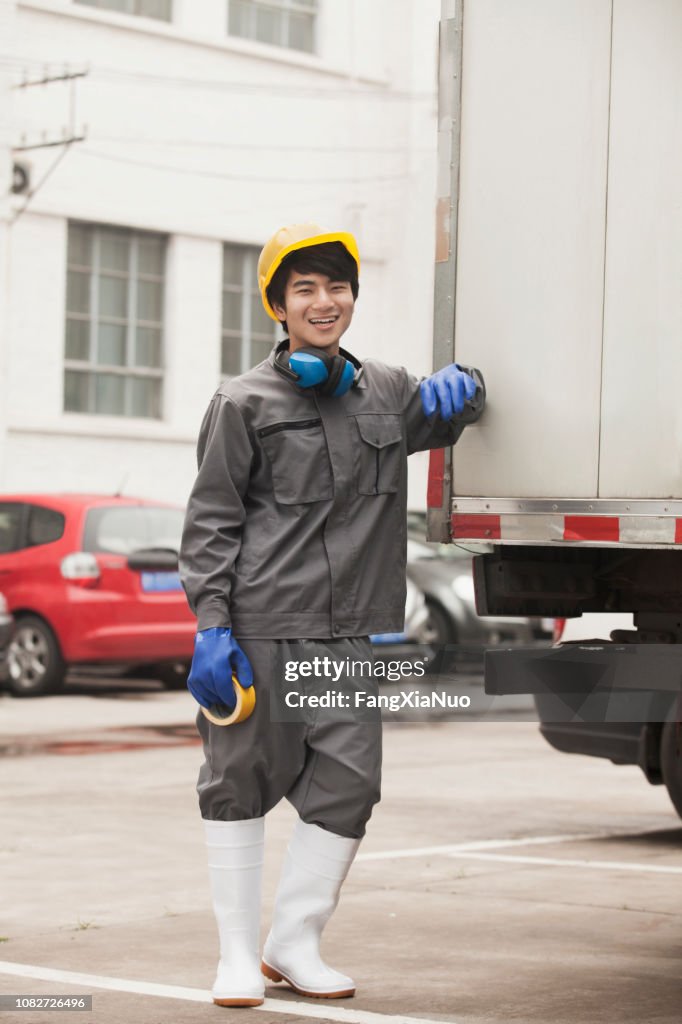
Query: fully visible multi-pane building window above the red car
x=113 y=352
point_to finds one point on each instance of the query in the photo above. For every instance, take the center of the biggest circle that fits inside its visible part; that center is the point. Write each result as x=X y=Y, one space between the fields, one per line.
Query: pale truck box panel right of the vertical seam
x=642 y=424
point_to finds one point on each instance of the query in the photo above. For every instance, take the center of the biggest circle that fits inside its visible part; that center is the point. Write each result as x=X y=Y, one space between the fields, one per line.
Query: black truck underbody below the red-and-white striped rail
x=620 y=700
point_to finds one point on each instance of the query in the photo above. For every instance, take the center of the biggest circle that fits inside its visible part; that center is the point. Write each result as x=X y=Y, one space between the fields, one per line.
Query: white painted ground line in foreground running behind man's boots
x=291 y=1008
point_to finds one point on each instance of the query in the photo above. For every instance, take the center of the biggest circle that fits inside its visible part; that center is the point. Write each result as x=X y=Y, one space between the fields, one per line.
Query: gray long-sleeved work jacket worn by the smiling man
x=296 y=524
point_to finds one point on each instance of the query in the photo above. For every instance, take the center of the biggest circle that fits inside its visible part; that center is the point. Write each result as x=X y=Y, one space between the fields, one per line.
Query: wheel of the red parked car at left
x=34 y=660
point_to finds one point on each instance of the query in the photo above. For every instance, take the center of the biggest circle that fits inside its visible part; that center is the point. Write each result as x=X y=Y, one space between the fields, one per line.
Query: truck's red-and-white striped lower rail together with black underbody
x=621 y=698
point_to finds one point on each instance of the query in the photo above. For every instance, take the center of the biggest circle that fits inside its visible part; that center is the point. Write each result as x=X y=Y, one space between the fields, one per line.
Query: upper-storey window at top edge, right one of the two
x=281 y=23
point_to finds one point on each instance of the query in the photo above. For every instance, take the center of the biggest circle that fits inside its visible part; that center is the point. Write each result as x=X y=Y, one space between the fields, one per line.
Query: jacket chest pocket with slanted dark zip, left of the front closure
x=300 y=461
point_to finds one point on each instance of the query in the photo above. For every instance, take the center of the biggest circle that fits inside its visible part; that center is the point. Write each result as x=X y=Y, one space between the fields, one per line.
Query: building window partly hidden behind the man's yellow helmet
x=248 y=333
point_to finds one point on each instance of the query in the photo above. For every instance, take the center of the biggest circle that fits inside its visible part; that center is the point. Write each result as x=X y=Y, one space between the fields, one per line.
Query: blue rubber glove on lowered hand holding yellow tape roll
x=218 y=656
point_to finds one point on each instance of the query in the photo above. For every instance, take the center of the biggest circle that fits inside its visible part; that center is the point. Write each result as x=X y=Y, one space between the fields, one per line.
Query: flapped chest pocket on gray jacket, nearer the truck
x=379 y=453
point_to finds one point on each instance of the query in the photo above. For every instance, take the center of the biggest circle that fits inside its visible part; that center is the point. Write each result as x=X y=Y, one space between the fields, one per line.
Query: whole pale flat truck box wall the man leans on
x=570 y=248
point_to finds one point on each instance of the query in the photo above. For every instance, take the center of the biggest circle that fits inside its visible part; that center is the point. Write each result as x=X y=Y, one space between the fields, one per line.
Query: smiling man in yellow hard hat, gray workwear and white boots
x=294 y=548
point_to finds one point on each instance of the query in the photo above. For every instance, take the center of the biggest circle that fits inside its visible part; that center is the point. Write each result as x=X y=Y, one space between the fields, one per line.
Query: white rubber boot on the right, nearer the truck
x=315 y=869
